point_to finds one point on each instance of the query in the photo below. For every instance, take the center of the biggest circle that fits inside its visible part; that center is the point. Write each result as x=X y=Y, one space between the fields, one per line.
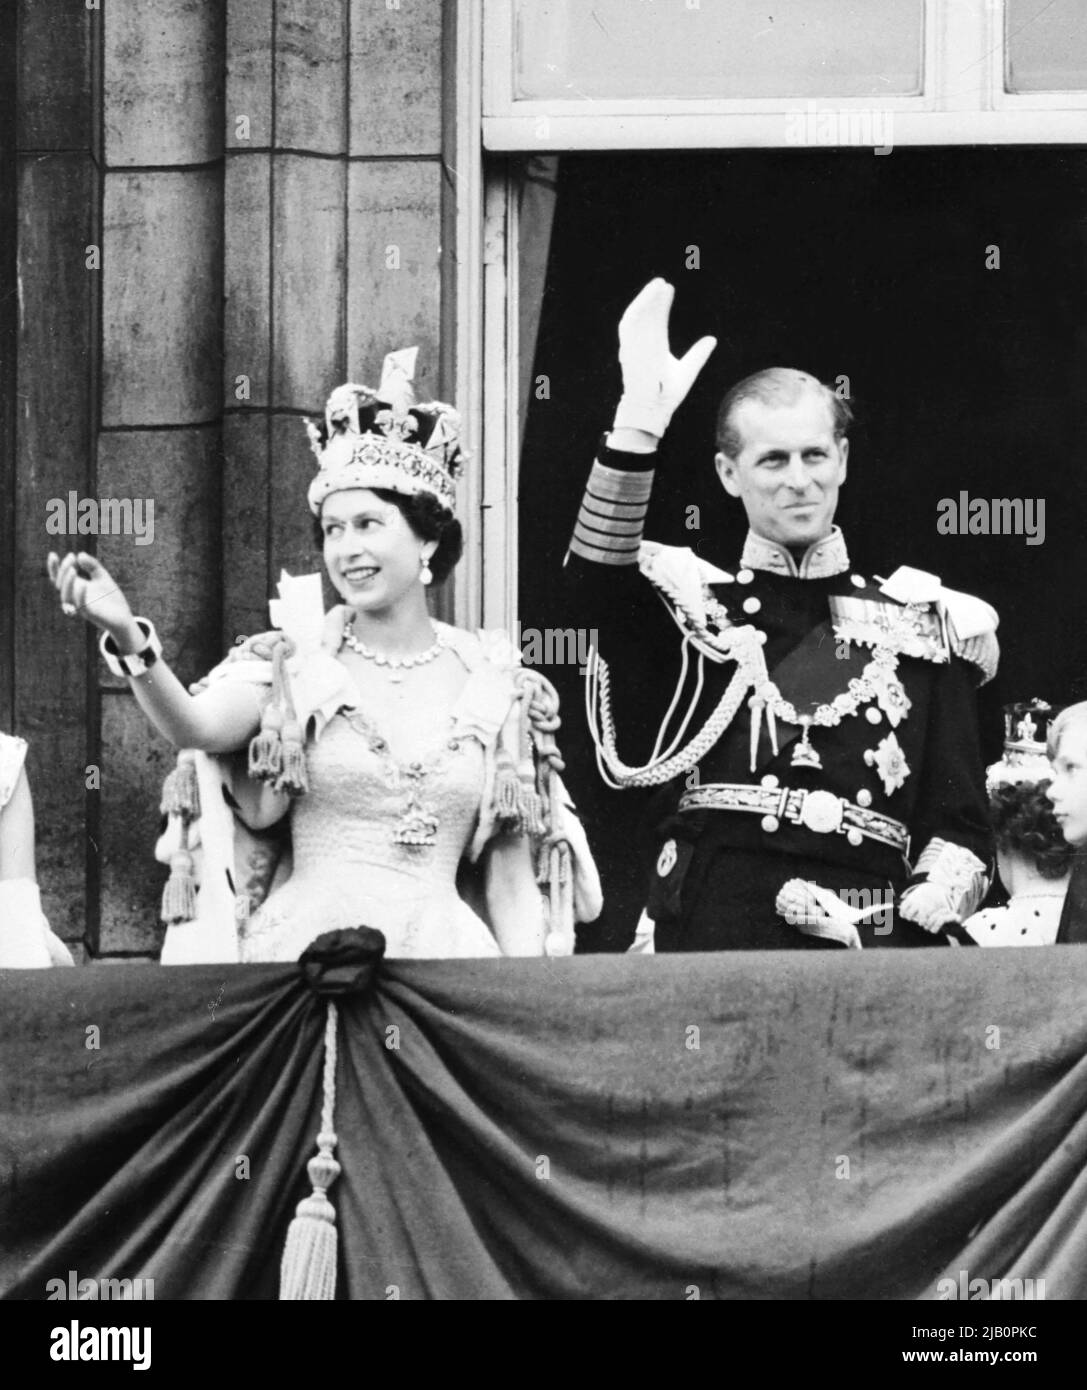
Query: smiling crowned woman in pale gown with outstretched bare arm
x=414 y=762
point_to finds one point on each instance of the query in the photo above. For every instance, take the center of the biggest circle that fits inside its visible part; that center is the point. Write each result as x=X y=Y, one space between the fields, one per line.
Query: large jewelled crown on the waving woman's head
x=384 y=440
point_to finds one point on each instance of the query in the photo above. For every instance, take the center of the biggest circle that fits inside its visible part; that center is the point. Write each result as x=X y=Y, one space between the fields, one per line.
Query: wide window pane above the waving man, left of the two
x=660 y=49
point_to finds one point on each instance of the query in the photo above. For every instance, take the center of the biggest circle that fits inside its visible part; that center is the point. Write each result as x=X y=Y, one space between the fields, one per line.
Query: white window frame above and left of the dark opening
x=963 y=40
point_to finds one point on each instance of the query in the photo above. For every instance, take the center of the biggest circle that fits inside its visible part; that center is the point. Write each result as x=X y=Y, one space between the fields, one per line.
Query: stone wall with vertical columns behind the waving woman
x=223 y=212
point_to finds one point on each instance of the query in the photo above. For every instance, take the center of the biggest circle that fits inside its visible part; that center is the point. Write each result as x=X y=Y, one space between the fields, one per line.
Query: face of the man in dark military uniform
x=789 y=471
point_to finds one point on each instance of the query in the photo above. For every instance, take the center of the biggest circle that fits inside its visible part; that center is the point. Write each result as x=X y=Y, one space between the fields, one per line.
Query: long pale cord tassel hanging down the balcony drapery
x=309 y=1266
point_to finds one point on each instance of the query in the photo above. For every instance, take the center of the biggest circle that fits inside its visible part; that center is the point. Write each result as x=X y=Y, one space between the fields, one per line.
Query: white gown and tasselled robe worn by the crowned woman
x=455 y=780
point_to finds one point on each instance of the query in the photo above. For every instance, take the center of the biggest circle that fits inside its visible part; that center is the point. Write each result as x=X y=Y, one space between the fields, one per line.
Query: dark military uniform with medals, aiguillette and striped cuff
x=882 y=789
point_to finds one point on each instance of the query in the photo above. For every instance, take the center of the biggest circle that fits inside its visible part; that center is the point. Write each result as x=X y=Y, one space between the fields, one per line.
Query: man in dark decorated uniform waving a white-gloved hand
x=819 y=768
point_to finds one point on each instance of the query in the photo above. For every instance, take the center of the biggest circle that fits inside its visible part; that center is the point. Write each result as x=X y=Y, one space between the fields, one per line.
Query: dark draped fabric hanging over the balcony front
x=754 y=1127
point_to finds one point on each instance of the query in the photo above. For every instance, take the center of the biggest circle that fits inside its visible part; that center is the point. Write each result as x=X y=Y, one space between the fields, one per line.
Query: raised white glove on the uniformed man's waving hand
x=654 y=382
